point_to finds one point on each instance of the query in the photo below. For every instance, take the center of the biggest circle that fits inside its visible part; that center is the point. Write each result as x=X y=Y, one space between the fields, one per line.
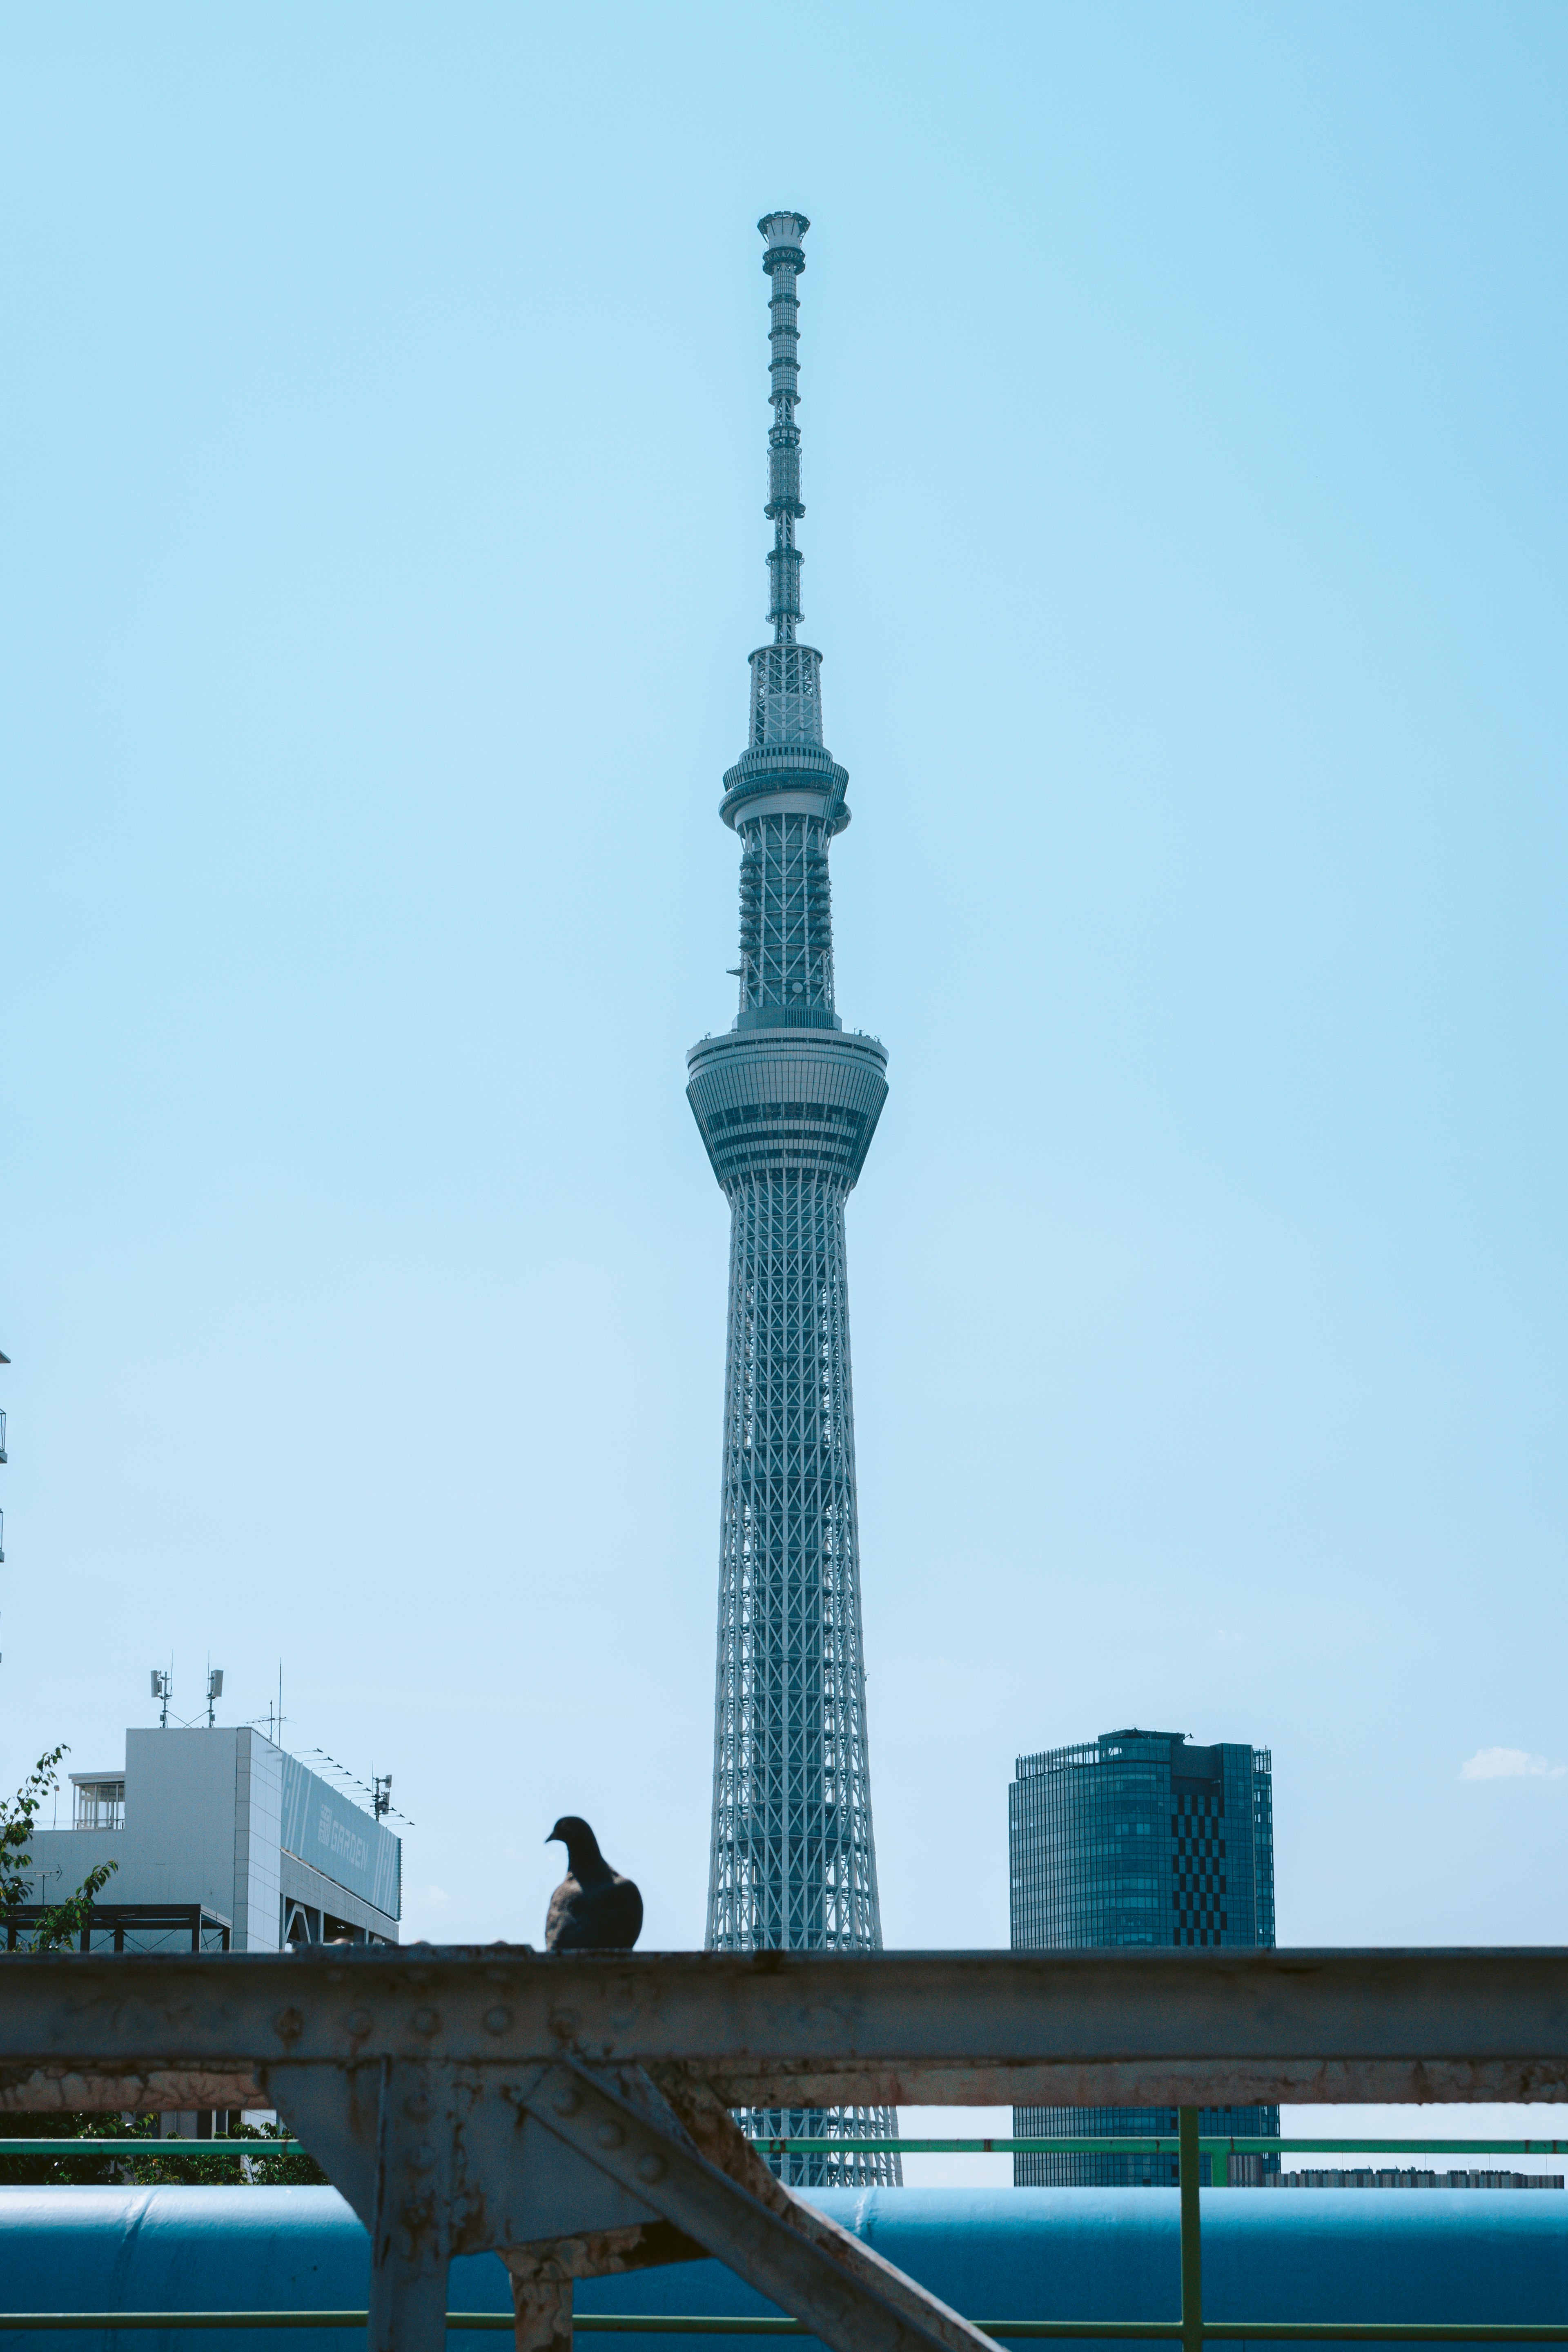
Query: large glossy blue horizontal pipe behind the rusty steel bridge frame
x=993 y=2254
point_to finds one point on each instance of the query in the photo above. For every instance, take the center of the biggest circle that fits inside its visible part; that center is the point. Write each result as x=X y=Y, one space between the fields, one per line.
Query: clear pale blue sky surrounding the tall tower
x=384 y=455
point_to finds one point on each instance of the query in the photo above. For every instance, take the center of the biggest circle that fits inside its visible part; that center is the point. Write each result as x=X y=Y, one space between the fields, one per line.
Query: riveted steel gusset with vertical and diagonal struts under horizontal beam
x=575 y=2172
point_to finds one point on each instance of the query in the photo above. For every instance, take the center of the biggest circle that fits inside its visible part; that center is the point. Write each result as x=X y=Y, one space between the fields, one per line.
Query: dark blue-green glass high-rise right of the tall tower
x=1139 y=1838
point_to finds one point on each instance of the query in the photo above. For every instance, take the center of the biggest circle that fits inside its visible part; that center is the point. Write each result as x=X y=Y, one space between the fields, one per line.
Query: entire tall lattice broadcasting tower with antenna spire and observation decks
x=789 y=1104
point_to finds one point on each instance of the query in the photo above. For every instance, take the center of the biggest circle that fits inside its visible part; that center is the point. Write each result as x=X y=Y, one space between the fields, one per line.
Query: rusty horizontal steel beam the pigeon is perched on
x=808 y=2029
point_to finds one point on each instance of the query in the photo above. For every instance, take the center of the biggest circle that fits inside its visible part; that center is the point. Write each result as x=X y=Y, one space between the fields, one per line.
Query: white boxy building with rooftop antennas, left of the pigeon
x=222 y=1840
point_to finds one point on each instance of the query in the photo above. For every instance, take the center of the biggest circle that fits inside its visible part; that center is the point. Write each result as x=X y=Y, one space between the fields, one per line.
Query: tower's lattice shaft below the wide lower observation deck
x=793 y=1857
